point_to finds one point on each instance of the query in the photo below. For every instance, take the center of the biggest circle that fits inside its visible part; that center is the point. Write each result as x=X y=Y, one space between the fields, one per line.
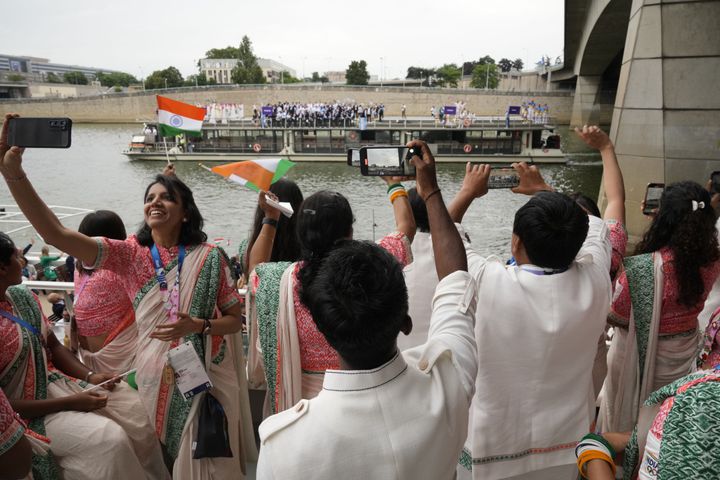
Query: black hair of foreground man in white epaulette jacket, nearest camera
x=358 y=300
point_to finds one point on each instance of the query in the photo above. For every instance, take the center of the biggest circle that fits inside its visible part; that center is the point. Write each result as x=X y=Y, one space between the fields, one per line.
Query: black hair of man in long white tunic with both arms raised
x=552 y=227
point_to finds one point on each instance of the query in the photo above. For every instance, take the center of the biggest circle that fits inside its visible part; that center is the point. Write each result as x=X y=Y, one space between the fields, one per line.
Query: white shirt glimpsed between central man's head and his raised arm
x=421 y=280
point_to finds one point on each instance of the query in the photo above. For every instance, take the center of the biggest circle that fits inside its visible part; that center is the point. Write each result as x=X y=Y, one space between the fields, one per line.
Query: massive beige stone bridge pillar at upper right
x=666 y=121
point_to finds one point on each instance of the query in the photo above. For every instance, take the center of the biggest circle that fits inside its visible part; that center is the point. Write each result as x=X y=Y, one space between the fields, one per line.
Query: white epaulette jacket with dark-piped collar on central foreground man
x=404 y=420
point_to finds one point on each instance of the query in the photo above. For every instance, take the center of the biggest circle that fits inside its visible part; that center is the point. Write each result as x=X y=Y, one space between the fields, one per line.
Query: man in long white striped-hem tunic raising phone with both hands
x=536 y=332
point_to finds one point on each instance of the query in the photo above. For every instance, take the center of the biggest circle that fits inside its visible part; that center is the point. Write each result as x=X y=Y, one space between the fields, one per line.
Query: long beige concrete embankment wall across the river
x=141 y=106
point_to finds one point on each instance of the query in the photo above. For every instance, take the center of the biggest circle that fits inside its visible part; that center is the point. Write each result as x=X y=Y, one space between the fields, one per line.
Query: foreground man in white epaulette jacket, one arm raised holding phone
x=382 y=413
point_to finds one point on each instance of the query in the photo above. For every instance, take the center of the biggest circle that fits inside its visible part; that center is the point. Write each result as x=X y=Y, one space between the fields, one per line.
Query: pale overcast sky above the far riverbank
x=139 y=37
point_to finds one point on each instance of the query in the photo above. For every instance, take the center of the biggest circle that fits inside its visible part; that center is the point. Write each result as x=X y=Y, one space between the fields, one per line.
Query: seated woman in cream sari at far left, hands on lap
x=92 y=435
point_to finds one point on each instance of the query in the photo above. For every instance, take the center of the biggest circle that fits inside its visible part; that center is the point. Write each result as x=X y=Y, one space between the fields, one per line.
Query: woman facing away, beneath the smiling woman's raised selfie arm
x=104 y=316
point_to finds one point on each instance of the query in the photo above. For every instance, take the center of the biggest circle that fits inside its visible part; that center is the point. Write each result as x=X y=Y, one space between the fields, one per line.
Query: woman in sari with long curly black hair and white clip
x=656 y=303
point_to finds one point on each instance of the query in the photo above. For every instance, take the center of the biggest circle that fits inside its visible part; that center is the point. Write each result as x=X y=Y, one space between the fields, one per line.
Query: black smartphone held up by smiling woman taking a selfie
x=40 y=132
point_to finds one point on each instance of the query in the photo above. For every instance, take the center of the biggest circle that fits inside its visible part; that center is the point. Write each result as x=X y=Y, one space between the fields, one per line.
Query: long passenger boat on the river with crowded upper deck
x=486 y=140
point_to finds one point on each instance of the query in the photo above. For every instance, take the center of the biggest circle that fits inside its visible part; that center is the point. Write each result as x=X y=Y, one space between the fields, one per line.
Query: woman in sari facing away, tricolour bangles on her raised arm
x=294 y=353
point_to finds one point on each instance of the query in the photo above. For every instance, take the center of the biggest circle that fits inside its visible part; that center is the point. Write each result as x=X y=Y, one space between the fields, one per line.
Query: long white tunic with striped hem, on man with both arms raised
x=537 y=339
